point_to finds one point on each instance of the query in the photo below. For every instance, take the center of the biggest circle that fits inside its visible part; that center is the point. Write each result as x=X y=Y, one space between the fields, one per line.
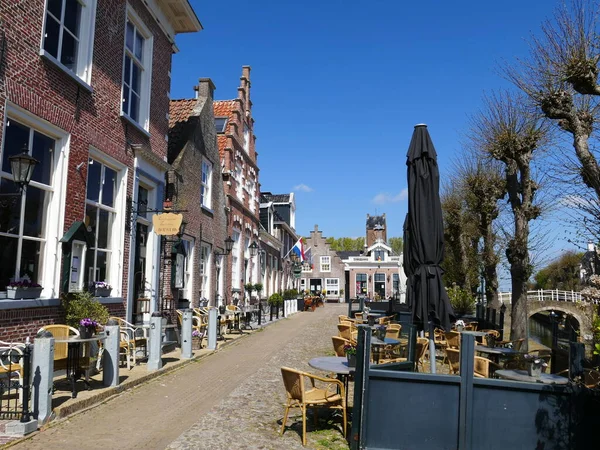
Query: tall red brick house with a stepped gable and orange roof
x=235 y=129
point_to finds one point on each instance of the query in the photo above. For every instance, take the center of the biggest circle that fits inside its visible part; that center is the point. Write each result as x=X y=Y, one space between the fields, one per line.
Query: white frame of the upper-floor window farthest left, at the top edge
x=85 y=49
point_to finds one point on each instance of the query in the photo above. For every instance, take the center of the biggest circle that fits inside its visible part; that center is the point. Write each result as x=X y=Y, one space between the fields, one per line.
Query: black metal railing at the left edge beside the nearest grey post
x=15 y=381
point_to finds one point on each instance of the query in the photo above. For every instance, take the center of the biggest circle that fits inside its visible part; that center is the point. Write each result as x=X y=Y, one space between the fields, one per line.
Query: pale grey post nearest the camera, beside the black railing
x=42 y=374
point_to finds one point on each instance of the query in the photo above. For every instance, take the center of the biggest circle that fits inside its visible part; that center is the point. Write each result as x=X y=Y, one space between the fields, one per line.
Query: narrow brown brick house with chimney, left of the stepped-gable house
x=194 y=154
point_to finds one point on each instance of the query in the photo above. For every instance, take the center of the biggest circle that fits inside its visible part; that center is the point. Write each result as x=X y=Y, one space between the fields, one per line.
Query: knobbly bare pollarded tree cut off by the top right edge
x=561 y=78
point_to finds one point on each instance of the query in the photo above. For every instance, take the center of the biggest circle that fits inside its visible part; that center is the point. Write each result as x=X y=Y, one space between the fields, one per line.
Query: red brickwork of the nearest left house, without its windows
x=91 y=119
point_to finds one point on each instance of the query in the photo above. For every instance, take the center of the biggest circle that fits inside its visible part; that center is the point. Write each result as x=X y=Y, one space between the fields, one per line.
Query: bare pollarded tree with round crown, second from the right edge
x=507 y=131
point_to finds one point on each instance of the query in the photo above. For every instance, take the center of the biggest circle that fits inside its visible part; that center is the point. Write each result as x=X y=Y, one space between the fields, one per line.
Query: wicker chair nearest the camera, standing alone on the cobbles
x=313 y=397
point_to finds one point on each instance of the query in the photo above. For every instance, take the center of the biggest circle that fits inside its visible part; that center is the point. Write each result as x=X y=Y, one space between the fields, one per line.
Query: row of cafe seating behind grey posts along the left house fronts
x=79 y=361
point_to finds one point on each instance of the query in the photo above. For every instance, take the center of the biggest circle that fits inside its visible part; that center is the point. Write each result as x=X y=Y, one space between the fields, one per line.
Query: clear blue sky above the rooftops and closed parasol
x=337 y=87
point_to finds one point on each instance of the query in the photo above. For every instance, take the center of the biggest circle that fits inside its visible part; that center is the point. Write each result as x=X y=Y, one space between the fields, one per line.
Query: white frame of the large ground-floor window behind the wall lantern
x=50 y=268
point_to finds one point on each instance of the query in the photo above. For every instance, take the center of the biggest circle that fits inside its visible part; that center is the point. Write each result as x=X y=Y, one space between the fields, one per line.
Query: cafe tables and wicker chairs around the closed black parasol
x=396 y=347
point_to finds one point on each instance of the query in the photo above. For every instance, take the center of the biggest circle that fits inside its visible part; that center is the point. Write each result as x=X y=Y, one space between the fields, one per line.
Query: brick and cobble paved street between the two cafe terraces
x=231 y=399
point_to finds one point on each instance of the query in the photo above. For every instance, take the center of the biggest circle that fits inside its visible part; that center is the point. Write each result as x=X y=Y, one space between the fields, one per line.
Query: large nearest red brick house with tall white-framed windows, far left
x=84 y=88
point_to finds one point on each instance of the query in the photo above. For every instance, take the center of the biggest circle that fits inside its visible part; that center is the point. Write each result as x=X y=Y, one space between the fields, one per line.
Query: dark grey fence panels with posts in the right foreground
x=407 y=410
